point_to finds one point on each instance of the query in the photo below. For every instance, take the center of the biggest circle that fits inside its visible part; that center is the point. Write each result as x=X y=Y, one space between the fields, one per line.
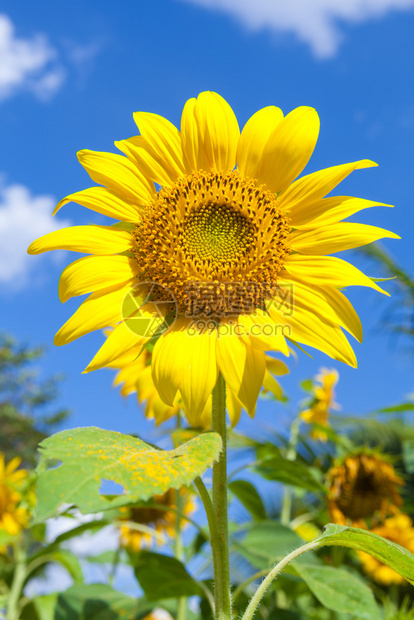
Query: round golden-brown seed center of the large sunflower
x=217 y=241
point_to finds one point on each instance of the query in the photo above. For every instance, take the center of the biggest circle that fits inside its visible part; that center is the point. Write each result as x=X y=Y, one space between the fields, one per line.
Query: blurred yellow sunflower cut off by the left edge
x=13 y=518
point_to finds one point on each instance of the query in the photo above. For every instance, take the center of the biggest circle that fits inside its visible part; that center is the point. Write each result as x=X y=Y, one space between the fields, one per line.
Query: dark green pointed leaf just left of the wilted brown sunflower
x=293 y=473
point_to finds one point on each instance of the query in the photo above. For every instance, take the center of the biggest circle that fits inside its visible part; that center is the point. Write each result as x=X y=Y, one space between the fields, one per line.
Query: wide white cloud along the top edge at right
x=315 y=22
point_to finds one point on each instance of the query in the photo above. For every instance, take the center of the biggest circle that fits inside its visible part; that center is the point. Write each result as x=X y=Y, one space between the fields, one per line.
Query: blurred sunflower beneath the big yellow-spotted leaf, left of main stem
x=163 y=520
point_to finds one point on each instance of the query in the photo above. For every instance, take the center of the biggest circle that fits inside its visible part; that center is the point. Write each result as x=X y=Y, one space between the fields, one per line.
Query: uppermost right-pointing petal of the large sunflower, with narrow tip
x=315 y=186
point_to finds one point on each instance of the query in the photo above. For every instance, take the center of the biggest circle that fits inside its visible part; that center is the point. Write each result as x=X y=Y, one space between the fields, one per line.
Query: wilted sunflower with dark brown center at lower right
x=361 y=487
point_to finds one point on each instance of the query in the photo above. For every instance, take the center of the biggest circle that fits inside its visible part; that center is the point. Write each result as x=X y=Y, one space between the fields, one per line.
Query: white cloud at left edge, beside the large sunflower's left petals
x=23 y=218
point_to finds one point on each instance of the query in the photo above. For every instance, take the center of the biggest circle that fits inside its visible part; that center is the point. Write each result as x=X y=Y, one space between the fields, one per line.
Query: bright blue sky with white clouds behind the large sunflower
x=72 y=74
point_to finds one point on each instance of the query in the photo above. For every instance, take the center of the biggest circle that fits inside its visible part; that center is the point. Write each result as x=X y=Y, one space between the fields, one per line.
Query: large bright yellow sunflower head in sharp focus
x=221 y=244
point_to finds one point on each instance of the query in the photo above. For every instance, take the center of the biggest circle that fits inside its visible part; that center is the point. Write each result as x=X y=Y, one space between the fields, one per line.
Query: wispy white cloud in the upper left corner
x=27 y=64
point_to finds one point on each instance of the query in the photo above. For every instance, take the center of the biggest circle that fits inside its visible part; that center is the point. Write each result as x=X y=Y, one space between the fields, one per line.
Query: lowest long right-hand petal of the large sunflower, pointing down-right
x=308 y=328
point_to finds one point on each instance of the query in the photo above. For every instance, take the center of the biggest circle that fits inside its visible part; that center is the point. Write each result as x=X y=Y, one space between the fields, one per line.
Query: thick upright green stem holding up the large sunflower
x=222 y=586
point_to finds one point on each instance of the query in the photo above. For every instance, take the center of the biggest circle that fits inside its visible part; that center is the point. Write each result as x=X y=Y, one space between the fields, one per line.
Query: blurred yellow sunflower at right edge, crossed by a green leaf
x=399 y=529
